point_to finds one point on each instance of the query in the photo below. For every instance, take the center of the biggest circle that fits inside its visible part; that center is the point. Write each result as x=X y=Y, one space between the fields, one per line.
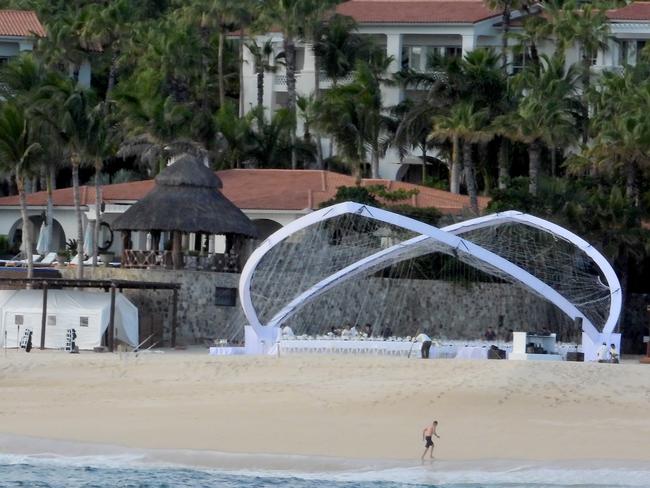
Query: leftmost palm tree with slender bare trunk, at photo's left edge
x=17 y=154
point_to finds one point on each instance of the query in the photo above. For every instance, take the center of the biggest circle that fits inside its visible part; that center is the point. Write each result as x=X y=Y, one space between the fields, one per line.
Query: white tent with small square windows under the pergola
x=86 y=312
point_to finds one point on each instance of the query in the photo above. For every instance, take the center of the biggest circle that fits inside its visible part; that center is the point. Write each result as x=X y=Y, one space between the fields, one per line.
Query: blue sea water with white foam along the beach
x=55 y=471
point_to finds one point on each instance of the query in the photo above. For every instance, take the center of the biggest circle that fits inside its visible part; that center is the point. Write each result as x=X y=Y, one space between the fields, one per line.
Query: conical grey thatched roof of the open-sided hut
x=186 y=198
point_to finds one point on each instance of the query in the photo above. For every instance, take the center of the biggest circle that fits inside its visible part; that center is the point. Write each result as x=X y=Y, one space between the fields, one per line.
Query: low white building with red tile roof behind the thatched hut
x=270 y=198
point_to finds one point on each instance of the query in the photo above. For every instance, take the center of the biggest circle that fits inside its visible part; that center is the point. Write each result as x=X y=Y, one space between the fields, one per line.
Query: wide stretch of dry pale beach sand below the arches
x=341 y=406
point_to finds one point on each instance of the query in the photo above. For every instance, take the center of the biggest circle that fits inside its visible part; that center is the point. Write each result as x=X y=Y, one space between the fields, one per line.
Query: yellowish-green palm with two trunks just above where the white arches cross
x=466 y=125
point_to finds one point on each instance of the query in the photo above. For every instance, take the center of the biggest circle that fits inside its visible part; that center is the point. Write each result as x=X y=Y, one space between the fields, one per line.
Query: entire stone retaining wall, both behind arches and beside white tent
x=451 y=310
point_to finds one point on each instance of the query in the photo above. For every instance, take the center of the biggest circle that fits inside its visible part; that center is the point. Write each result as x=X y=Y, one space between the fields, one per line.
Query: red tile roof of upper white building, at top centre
x=416 y=11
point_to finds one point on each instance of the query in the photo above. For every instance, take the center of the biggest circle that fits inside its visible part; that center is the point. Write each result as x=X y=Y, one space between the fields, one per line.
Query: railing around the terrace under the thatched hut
x=222 y=263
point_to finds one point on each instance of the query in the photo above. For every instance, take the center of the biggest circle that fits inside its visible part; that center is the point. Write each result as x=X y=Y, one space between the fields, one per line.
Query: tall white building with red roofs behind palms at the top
x=412 y=30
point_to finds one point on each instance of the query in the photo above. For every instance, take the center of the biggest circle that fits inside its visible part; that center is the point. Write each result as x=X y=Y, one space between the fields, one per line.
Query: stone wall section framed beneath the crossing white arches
x=445 y=309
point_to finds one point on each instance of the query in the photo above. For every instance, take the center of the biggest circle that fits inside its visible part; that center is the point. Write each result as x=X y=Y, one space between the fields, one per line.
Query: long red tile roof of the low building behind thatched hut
x=263 y=189
